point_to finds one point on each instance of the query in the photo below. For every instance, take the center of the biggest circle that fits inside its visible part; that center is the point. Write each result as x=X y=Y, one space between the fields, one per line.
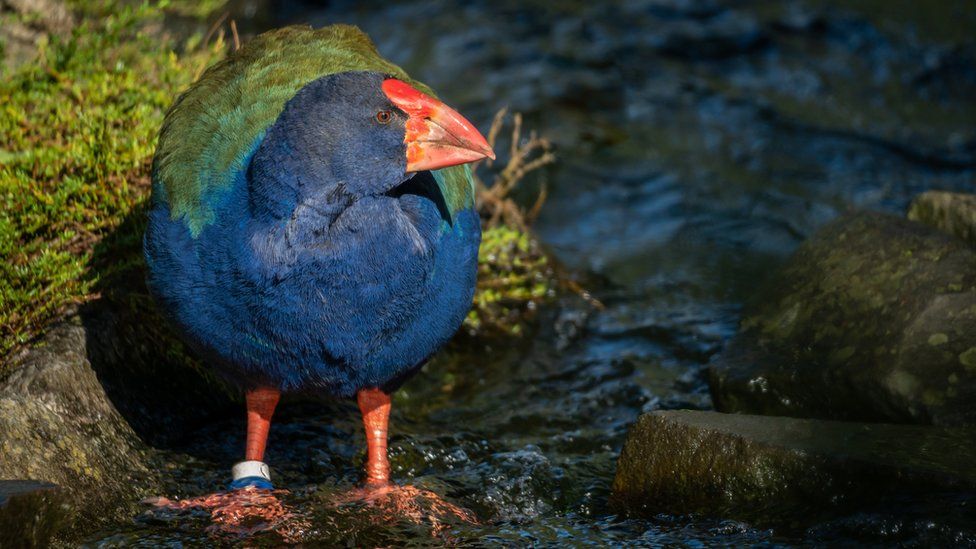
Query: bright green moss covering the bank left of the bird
x=77 y=133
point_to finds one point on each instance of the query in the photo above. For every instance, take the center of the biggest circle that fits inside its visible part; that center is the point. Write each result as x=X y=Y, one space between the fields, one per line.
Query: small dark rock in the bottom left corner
x=31 y=513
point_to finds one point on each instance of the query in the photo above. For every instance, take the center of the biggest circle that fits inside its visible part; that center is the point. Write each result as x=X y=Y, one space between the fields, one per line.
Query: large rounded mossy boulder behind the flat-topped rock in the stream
x=872 y=319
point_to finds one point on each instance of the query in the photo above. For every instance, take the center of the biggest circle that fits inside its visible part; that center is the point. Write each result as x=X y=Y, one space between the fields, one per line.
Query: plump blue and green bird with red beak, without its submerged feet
x=312 y=227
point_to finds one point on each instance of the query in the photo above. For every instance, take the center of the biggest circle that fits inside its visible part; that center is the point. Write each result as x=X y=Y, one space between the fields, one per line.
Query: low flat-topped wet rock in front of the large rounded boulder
x=785 y=471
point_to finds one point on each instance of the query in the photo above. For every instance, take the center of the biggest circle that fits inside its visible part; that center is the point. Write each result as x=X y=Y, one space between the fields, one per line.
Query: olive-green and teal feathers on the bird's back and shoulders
x=210 y=132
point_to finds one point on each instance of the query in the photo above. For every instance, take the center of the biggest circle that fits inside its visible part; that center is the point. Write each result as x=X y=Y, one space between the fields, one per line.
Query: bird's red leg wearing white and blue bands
x=253 y=471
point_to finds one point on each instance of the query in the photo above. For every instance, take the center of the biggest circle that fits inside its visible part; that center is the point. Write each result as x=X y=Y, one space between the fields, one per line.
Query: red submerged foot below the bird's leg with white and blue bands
x=241 y=513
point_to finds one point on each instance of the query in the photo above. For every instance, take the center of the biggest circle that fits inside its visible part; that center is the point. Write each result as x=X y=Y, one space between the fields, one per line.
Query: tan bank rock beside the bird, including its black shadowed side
x=91 y=404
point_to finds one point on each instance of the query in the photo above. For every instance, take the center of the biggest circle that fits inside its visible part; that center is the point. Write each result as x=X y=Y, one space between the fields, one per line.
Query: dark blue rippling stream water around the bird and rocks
x=699 y=143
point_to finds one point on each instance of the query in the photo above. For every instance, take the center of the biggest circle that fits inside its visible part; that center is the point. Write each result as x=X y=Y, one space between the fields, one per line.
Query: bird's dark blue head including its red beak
x=367 y=131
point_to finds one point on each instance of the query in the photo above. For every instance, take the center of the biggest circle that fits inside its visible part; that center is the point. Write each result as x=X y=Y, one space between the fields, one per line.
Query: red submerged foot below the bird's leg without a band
x=396 y=502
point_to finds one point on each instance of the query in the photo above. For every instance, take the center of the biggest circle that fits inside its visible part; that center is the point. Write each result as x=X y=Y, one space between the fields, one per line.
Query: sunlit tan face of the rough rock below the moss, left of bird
x=58 y=425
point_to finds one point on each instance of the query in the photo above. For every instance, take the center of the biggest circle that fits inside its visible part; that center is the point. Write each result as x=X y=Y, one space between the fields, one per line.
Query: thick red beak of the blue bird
x=437 y=136
